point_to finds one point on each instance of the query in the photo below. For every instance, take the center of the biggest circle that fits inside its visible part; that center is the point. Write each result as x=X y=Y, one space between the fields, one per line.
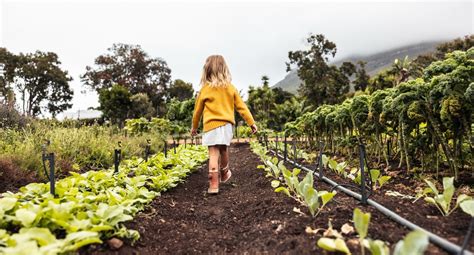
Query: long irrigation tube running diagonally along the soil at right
x=439 y=241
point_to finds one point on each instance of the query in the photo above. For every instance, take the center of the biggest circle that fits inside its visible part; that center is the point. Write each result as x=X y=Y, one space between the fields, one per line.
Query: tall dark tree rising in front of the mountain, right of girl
x=321 y=83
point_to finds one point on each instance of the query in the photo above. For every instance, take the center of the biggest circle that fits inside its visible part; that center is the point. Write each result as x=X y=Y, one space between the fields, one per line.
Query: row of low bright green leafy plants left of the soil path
x=89 y=206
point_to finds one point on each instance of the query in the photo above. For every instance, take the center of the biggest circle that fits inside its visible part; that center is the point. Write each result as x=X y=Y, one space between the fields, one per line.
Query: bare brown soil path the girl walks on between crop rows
x=246 y=217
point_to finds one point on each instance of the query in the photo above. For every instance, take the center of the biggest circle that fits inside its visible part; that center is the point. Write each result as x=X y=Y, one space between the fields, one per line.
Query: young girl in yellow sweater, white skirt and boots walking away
x=216 y=102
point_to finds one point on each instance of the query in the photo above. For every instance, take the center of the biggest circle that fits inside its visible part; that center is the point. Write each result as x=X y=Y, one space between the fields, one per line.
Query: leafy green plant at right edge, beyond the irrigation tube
x=443 y=201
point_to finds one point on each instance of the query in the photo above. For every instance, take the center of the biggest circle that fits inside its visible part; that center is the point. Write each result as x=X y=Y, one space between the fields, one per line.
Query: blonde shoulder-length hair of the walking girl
x=215 y=72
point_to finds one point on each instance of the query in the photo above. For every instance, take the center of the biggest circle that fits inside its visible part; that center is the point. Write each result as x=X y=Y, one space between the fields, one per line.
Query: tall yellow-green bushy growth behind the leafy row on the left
x=75 y=148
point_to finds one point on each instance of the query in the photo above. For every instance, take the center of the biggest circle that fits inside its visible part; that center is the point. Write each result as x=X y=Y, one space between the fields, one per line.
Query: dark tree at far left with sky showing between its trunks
x=40 y=79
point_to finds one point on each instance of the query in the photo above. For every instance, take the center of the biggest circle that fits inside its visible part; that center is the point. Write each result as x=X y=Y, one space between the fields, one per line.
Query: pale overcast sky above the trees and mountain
x=253 y=37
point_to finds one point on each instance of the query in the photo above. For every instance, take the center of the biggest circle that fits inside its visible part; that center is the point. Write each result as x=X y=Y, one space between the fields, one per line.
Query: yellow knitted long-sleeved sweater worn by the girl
x=216 y=105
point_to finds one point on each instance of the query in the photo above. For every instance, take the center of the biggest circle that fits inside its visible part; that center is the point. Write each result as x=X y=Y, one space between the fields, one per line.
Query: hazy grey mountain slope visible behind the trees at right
x=375 y=62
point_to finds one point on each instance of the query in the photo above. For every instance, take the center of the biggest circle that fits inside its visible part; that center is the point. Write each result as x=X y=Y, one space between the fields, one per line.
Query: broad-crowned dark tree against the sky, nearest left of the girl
x=130 y=66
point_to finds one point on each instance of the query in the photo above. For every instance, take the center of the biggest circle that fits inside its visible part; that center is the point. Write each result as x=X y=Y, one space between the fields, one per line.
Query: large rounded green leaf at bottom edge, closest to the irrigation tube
x=415 y=243
